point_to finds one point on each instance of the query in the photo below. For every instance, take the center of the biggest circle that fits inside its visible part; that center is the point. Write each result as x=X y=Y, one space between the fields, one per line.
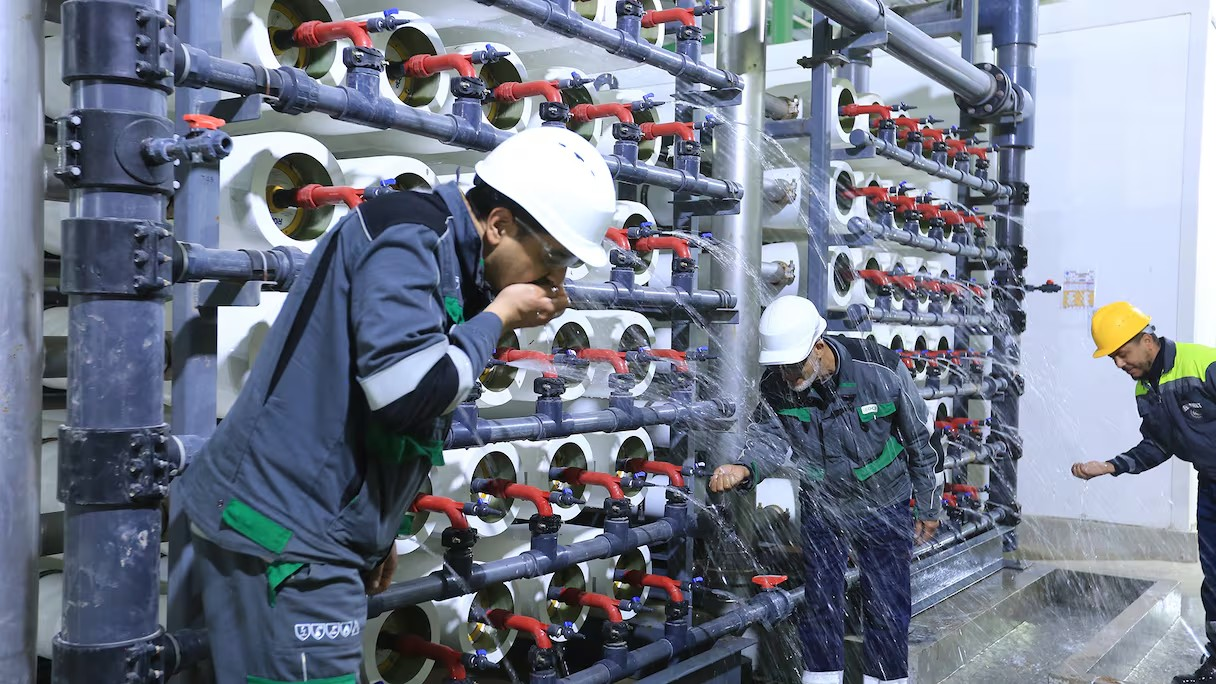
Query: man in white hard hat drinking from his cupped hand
x=296 y=503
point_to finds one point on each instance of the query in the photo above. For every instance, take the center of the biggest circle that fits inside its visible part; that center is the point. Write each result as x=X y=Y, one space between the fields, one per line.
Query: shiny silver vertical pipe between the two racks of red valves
x=741 y=43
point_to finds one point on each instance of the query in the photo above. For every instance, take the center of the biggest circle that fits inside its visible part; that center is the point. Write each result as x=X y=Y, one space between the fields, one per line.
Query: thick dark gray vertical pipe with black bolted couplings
x=116 y=360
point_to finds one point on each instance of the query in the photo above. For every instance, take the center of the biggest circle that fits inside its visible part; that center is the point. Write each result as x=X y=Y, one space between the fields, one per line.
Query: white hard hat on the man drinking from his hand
x=562 y=182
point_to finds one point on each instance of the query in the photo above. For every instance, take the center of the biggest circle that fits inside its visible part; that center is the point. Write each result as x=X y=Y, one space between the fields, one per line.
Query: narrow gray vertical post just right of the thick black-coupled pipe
x=194 y=346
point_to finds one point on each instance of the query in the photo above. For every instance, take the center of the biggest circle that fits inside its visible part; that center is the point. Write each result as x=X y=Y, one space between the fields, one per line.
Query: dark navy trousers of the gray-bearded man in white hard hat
x=882 y=547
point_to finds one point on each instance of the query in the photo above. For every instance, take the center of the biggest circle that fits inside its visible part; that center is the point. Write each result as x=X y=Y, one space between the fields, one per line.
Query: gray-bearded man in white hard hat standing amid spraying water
x=858 y=439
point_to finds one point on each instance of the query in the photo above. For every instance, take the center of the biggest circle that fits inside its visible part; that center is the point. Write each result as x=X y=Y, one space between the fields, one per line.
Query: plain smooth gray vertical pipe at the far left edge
x=21 y=332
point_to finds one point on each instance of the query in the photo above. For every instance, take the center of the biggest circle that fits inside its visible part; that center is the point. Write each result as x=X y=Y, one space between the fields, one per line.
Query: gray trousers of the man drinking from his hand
x=308 y=630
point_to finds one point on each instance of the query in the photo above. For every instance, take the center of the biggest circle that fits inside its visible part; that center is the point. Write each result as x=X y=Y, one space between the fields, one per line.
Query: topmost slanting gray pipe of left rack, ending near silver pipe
x=549 y=15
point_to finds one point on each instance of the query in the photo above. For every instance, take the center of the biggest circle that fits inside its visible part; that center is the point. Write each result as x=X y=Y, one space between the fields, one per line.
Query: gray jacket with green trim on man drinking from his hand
x=359 y=375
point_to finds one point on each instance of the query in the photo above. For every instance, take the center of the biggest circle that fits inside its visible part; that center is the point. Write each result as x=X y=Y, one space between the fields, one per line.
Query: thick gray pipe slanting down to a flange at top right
x=913 y=47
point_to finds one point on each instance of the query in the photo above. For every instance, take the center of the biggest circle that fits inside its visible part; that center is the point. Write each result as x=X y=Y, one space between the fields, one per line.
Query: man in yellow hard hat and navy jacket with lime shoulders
x=1176 y=399
